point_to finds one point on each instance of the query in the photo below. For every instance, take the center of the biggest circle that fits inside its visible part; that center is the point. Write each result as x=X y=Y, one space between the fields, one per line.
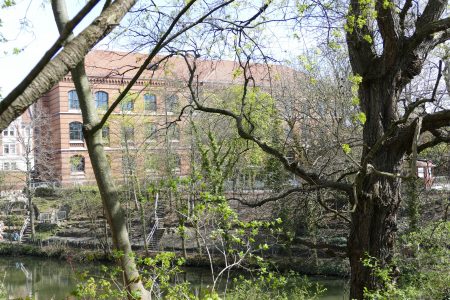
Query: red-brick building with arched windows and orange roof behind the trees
x=140 y=135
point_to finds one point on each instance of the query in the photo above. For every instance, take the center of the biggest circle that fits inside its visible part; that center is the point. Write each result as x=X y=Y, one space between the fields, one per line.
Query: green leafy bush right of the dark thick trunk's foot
x=424 y=265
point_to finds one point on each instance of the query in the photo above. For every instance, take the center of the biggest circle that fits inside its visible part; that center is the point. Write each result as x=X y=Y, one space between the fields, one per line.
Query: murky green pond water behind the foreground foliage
x=45 y=279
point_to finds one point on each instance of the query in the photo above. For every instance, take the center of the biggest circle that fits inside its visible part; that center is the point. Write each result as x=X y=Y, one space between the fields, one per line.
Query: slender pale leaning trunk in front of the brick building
x=108 y=191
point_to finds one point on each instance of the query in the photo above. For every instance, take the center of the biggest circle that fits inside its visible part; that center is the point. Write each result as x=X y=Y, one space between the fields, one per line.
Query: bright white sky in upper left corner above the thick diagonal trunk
x=30 y=26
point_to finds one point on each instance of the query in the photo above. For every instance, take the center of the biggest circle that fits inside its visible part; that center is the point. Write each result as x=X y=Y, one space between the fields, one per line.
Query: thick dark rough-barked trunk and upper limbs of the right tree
x=387 y=136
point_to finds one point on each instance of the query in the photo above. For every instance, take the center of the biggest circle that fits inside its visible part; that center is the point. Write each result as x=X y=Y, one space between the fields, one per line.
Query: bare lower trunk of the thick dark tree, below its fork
x=374 y=220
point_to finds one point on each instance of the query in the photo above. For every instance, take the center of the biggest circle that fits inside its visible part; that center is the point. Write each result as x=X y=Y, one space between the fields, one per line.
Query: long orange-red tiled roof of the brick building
x=122 y=65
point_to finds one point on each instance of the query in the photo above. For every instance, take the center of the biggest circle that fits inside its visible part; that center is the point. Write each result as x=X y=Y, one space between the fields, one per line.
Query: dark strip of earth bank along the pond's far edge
x=321 y=267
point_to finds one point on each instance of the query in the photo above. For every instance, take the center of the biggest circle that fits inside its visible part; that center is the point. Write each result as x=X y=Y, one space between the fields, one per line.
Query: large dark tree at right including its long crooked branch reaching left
x=387 y=44
